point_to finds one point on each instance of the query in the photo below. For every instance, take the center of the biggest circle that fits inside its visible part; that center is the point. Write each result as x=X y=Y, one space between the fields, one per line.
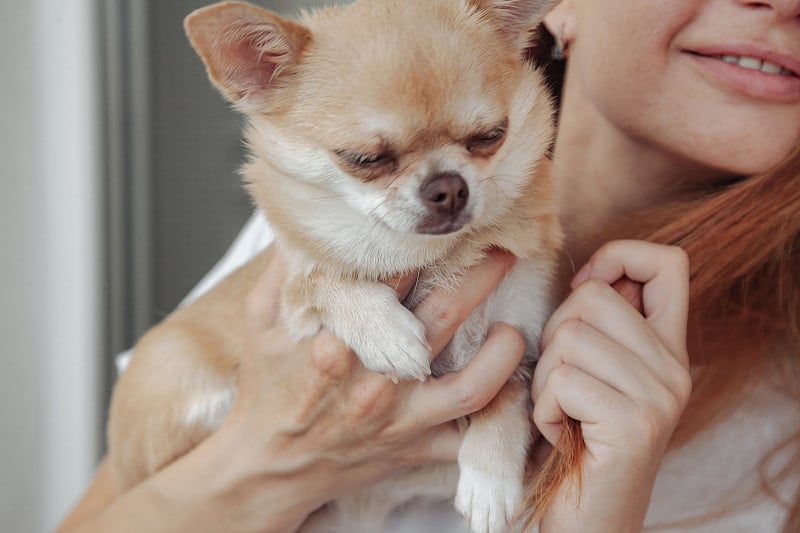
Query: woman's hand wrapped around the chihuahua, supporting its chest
x=310 y=423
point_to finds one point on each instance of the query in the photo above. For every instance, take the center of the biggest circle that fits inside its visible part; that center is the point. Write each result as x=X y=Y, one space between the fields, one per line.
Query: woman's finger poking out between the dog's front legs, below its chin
x=442 y=312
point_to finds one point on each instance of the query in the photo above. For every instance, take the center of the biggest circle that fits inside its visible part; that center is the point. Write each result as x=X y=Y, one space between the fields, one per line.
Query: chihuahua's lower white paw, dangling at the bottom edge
x=490 y=502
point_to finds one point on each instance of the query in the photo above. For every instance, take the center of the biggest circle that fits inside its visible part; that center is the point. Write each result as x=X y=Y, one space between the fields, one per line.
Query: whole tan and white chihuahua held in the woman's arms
x=386 y=138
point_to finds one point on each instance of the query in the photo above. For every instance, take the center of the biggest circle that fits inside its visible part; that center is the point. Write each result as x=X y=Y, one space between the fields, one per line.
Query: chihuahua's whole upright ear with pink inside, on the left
x=249 y=52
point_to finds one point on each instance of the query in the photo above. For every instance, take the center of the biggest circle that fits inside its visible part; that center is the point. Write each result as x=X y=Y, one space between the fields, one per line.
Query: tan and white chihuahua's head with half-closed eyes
x=418 y=116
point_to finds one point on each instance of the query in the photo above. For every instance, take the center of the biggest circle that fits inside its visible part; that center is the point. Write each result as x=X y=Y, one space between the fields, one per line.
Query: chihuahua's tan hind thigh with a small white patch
x=166 y=403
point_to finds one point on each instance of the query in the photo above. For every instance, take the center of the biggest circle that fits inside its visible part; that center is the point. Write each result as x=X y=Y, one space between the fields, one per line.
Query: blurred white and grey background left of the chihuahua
x=118 y=191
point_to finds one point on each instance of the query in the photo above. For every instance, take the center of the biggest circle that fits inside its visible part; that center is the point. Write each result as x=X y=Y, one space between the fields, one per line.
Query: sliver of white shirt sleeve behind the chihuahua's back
x=252 y=239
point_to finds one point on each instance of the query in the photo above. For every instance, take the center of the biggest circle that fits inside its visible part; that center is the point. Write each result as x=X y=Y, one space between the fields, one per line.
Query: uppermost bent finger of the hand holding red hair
x=664 y=273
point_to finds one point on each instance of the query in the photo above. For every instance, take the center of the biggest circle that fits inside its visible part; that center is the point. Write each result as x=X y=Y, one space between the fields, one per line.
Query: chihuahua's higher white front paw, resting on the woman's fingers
x=395 y=346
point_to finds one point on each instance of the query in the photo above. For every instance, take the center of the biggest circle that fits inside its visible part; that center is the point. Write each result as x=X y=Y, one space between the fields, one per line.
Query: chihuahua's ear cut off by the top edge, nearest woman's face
x=516 y=18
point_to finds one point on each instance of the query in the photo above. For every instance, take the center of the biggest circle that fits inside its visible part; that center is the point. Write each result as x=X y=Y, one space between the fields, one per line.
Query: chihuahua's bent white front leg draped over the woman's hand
x=366 y=315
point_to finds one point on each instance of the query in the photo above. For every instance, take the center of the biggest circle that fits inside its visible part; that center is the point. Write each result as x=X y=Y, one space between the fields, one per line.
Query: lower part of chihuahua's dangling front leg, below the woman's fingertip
x=492 y=461
